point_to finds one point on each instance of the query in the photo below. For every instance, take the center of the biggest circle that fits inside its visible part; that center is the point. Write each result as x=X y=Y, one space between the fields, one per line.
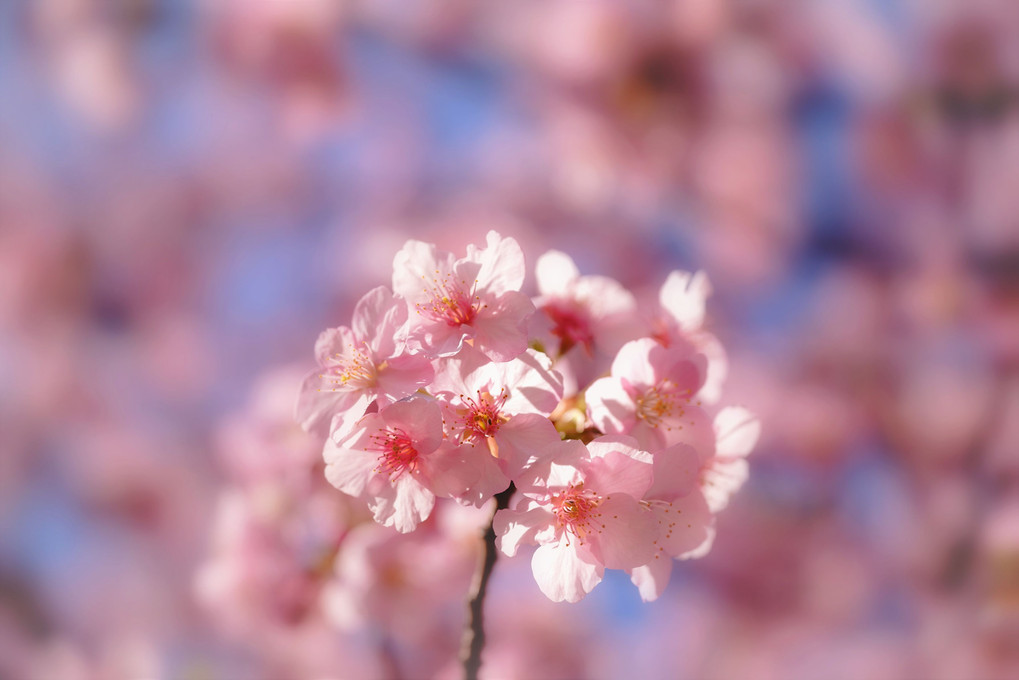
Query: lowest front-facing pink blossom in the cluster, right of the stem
x=585 y=516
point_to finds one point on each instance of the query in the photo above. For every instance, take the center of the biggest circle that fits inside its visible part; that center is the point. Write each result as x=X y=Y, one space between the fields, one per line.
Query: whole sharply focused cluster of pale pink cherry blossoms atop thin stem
x=601 y=411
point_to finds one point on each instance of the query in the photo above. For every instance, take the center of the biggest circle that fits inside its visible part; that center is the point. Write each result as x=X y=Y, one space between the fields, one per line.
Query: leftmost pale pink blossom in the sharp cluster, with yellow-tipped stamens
x=360 y=364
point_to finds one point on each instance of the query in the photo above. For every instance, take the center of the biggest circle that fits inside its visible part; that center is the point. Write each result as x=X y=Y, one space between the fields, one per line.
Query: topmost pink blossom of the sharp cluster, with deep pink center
x=473 y=300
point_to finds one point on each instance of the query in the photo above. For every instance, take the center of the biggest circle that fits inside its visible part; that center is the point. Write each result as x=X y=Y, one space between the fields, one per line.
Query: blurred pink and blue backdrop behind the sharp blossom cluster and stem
x=191 y=191
